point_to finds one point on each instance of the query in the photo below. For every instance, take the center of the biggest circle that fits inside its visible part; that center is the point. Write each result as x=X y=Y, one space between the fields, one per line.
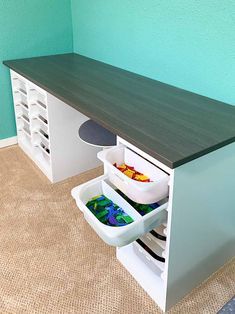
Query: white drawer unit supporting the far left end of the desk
x=47 y=131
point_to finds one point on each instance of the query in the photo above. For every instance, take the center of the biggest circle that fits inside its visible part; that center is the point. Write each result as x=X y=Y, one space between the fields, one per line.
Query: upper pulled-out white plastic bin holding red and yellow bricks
x=140 y=192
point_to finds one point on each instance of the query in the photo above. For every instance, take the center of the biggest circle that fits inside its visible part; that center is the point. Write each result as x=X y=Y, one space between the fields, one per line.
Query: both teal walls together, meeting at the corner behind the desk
x=186 y=43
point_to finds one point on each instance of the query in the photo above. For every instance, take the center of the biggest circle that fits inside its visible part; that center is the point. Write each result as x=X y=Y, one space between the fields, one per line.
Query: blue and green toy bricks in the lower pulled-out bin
x=107 y=212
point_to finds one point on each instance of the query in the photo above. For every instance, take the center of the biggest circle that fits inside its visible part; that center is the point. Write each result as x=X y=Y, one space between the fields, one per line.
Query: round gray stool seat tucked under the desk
x=94 y=134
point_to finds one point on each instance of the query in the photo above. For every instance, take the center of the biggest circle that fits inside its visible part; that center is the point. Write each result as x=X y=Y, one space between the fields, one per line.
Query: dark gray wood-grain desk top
x=173 y=125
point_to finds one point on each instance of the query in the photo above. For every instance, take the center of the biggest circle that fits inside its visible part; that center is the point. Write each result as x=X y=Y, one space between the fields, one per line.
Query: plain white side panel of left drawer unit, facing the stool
x=69 y=155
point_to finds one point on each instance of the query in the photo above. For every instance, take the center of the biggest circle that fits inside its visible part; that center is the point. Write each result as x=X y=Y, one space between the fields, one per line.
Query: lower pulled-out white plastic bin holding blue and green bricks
x=113 y=235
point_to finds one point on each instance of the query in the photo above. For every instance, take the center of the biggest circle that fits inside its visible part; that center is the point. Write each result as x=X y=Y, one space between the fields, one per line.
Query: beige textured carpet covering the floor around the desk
x=52 y=262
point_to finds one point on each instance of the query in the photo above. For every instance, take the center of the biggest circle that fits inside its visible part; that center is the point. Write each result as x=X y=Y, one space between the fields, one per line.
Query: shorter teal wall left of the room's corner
x=29 y=28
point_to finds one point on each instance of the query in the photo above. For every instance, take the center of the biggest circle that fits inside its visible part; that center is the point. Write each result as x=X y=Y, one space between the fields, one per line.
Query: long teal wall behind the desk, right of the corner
x=186 y=43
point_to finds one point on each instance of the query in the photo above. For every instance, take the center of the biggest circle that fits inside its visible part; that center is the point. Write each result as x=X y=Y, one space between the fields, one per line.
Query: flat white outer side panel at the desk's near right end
x=202 y=230
